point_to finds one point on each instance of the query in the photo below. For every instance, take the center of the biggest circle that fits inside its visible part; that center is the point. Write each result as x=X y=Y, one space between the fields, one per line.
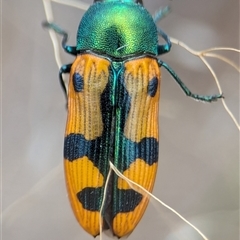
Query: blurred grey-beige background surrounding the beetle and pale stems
x=198 y=171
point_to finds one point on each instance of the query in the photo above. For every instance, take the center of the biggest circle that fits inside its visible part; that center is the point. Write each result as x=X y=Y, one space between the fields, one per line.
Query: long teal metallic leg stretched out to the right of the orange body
x=184 y=87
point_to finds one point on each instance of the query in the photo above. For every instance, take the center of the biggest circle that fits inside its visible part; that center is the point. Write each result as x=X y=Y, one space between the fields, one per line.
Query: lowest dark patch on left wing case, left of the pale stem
x=90 y=198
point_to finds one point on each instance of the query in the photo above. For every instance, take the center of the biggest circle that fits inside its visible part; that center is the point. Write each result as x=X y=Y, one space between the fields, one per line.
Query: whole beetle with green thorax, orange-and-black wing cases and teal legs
x=113 y=97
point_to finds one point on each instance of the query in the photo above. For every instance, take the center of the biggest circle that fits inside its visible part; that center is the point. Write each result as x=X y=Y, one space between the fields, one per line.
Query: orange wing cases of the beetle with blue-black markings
x=113 y=116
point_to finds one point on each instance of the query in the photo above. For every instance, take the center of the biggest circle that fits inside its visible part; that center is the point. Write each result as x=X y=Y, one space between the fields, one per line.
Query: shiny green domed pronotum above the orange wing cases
x=117 y=29
